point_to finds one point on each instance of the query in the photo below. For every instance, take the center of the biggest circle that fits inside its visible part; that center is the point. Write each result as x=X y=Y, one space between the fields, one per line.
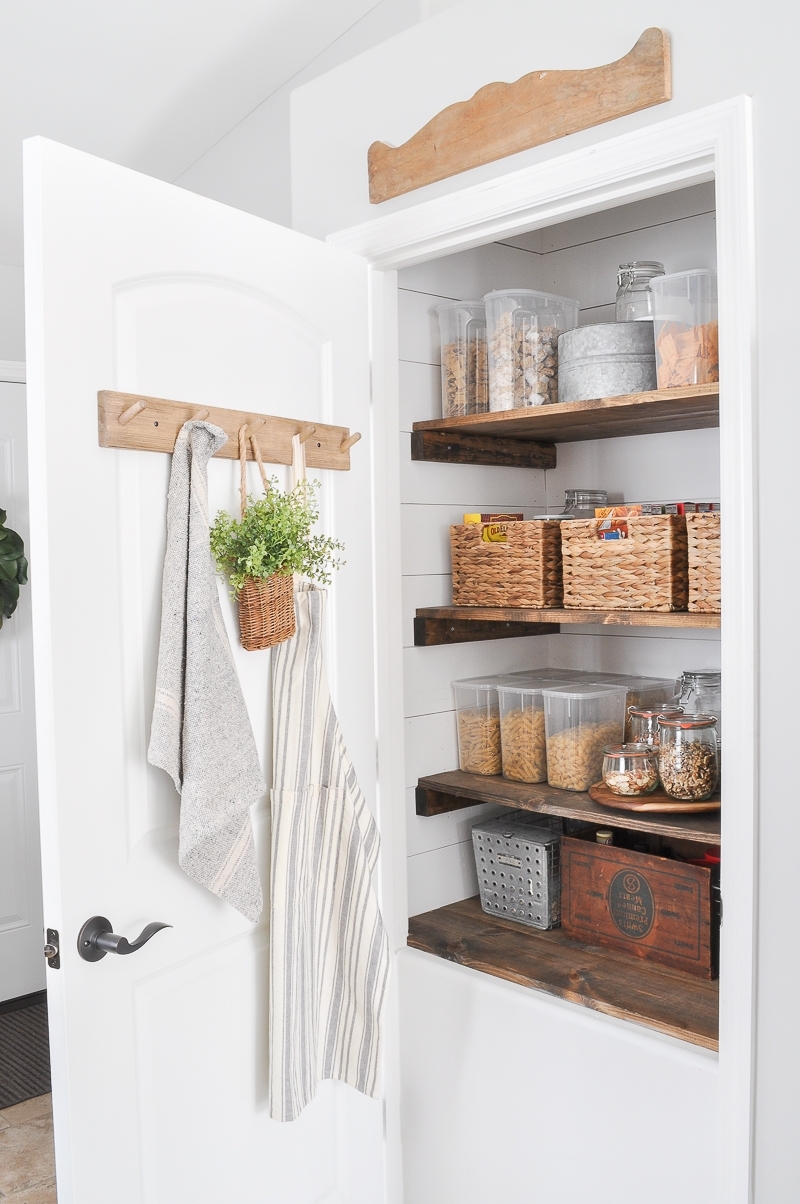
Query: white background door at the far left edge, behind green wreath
x=22 y=965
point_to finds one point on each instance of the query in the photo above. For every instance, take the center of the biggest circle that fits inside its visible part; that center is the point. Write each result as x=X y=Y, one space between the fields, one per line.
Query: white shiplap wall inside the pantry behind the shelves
x=575 y=259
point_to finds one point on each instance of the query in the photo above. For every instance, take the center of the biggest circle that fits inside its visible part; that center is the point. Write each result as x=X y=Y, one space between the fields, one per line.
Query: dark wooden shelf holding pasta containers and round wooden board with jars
x=455 y=790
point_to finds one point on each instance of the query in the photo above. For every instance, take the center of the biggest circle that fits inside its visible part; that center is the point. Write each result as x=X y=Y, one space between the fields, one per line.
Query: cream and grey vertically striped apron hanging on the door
x=328 y=947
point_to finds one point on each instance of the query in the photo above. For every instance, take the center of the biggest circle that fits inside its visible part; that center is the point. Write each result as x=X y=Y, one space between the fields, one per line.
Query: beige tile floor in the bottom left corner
x=27 y=1161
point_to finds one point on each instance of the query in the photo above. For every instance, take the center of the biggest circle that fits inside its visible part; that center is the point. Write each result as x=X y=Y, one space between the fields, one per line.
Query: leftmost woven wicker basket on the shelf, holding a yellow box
x=523 y=573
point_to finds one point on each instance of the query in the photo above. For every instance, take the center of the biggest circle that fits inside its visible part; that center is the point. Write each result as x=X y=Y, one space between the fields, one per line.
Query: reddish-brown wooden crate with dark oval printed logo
x=652 y=907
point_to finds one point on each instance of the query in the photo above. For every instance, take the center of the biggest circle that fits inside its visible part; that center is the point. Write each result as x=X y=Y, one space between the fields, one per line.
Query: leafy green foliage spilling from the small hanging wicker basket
x=275 y=538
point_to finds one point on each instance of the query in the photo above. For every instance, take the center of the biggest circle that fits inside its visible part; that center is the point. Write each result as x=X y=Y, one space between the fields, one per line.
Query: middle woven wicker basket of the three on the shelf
x=648 y=571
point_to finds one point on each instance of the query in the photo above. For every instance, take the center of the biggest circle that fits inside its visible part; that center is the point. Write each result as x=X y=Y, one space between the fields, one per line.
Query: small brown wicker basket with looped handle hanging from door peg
x=266 y=605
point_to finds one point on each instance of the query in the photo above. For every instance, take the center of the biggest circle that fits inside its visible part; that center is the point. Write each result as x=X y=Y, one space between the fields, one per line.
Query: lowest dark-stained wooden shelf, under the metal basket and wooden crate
x=616 y=984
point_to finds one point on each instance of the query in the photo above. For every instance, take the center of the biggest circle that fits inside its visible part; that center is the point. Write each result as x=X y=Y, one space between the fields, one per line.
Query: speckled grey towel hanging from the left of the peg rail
x=202 y=733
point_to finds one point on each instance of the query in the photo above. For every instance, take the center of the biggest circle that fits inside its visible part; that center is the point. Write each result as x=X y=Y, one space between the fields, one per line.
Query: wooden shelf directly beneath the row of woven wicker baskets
x=460 y=624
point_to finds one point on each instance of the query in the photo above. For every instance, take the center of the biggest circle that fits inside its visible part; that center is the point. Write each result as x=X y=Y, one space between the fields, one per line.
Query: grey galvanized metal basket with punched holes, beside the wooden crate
x=519 y=861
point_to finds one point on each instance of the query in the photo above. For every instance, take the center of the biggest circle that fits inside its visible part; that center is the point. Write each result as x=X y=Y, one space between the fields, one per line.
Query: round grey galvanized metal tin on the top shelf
x=607 y=361
